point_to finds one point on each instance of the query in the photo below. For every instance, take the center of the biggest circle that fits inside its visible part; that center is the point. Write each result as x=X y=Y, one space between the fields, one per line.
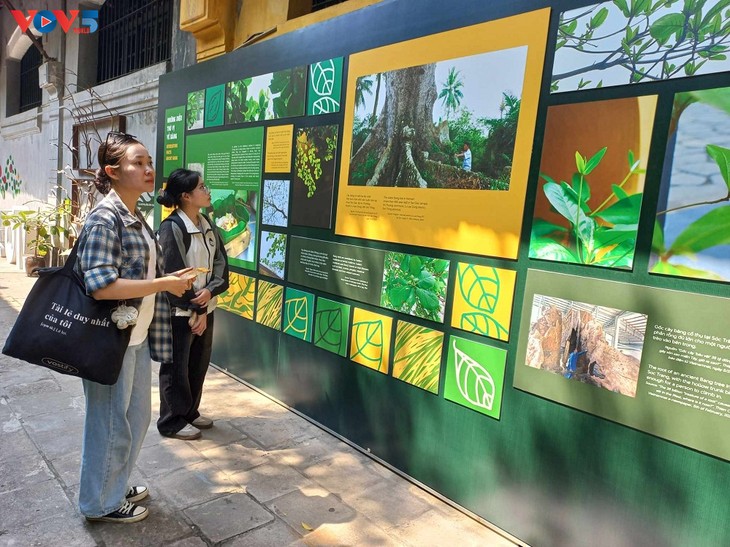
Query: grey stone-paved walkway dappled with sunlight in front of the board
x=262 y=476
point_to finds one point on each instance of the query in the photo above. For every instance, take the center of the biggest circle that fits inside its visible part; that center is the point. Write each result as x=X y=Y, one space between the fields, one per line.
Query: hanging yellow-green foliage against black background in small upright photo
x=315 y=146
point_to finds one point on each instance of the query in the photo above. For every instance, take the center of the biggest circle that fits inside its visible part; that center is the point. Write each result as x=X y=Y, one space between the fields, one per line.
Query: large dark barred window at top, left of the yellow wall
x=133 y=34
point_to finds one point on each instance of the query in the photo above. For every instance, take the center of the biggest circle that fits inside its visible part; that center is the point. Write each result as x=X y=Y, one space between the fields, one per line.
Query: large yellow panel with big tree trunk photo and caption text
x=454 y=112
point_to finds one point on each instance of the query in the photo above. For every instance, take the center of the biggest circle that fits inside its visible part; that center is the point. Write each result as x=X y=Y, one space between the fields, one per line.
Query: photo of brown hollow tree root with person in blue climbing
x=594 y=345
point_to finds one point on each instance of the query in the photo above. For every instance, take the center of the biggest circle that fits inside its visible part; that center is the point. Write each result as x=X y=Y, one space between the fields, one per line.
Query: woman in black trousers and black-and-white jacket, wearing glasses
x=189 y=239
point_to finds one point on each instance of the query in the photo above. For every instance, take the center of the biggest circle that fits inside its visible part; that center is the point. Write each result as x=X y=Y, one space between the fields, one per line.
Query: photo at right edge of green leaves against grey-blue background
x=692 y=228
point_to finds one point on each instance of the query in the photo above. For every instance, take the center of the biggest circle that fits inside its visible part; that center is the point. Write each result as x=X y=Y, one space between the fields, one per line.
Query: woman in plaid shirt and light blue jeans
x=118 y=259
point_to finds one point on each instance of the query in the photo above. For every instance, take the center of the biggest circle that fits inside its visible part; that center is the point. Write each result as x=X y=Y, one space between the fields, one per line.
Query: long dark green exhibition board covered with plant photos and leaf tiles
x=488 y=243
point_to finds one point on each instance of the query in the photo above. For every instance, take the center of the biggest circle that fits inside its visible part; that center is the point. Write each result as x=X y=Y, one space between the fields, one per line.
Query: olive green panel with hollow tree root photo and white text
x=653 y=359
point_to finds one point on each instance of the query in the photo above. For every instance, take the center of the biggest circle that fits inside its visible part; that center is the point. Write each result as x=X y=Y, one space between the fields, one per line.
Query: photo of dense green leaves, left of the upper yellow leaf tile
x=415 y=285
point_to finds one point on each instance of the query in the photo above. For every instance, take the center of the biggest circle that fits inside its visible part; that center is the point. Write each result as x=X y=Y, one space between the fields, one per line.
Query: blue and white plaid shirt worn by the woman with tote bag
x=102 y=258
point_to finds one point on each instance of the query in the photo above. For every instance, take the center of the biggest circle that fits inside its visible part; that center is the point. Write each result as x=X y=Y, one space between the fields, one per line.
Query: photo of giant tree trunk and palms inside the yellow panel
x=449 y=124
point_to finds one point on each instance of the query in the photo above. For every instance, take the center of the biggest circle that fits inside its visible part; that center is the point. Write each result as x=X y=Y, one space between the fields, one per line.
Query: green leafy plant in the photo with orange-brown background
x=604 y=236
